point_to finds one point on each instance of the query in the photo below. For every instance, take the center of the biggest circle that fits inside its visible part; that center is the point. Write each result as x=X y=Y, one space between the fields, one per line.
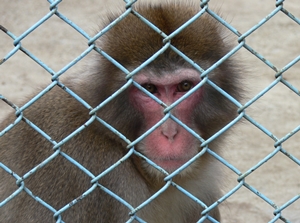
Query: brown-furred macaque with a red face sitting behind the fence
x=169 y=77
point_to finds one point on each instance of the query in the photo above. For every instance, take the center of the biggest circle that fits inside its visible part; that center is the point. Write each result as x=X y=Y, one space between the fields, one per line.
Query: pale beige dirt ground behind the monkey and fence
x=56 y=44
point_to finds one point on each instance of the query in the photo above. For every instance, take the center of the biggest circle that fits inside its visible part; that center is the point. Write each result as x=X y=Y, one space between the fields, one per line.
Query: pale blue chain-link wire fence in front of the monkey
x=279 y=73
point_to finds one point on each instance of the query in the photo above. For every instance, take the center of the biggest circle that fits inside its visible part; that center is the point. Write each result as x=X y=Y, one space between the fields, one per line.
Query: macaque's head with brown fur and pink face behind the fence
x=169 y=77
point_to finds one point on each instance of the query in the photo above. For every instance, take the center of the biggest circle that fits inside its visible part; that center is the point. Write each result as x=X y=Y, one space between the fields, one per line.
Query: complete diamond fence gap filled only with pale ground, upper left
x=59 y=50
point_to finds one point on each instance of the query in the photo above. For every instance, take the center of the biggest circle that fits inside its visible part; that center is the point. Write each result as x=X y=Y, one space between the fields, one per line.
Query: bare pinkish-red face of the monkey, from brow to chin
x=170 y=145
